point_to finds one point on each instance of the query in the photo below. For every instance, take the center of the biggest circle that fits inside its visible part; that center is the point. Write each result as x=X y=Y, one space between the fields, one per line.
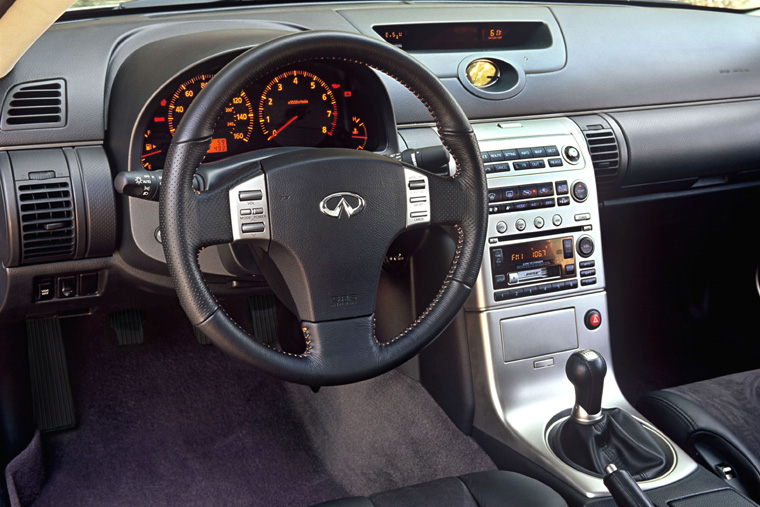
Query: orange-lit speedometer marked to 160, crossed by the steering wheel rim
x=234 y=127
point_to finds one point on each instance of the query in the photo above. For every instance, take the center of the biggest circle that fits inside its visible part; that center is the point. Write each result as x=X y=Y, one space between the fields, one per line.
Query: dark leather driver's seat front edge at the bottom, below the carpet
x=494 y=488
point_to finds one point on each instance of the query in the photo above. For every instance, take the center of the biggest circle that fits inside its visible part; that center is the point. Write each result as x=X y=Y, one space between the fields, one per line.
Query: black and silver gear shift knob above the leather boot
x=586 y=369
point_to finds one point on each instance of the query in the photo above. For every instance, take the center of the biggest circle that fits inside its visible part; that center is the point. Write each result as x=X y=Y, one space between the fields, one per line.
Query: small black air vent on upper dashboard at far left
x=38 y=104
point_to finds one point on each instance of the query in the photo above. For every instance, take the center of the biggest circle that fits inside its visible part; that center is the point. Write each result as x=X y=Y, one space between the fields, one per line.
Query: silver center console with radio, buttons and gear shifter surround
x=541 y=297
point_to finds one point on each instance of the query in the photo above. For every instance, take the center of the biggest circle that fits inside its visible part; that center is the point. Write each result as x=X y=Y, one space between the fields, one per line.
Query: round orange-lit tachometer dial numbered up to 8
x=297 y=108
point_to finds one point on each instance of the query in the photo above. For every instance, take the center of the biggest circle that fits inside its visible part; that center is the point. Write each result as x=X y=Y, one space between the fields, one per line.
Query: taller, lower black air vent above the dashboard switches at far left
x=47 y=221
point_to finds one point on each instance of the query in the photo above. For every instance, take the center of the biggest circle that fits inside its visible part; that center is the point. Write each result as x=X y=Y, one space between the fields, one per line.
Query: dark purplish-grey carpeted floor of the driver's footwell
x=170 y=422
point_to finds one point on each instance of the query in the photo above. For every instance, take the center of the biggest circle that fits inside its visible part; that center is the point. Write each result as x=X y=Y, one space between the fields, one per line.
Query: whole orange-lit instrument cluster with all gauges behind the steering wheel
x=312 y=104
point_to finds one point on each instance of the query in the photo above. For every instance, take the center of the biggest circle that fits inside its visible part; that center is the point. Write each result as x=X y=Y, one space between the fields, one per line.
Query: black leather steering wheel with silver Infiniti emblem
x=323 y=220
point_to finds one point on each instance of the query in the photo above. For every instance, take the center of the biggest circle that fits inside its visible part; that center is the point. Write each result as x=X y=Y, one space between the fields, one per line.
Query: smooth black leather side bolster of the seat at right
x=692 y=427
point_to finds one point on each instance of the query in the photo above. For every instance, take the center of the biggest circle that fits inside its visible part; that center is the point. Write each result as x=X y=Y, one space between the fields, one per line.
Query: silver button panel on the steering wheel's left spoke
x=249 y=209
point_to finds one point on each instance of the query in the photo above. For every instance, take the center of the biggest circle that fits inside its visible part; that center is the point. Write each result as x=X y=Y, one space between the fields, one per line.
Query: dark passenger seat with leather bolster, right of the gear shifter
x=715 y=421
